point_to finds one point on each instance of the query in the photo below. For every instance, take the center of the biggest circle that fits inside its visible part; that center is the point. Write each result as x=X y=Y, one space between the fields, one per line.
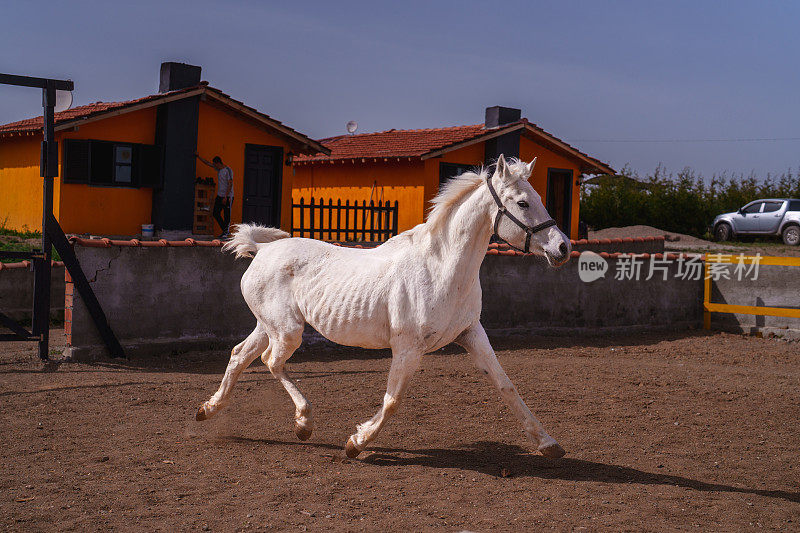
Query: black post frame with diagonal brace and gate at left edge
x=52 y=236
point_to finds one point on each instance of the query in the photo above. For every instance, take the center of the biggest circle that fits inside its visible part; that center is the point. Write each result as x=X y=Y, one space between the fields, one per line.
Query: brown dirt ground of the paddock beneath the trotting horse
x=663 y=432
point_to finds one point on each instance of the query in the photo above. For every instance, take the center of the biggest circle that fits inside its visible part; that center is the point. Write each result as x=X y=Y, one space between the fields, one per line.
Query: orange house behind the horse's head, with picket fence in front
x=407 y=166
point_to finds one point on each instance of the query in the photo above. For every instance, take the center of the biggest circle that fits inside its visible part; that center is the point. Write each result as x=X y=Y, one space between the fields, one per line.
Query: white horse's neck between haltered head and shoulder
x=459 y=246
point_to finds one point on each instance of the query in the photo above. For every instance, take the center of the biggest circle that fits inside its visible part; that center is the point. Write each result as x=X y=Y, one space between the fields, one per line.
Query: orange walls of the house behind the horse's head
x=414 y=183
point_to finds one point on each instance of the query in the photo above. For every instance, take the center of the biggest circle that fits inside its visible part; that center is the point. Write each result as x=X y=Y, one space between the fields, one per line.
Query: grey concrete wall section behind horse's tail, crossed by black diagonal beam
x=159 y=299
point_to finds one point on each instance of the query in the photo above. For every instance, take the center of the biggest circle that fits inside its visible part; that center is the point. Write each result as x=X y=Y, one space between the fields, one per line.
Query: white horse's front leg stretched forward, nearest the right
x=475 y=341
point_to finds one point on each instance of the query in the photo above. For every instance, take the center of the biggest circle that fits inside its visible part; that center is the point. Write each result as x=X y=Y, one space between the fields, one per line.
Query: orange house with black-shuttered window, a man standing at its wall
x=124 y=164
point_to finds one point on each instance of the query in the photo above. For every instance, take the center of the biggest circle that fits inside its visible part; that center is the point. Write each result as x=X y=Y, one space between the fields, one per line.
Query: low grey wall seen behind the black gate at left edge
x=16 y=292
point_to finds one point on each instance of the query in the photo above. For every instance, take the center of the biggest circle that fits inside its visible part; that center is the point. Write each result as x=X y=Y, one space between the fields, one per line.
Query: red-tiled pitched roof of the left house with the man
x=101 y=110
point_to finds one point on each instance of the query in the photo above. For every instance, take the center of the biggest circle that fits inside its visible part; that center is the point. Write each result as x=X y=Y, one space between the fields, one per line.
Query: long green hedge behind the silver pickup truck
x=682 y=203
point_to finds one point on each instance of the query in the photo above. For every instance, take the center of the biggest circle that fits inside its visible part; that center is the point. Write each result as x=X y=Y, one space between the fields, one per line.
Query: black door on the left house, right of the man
x=262 y=185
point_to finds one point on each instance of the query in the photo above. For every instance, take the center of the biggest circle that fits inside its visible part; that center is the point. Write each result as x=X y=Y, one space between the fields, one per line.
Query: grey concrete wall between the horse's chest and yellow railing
x=525 y=293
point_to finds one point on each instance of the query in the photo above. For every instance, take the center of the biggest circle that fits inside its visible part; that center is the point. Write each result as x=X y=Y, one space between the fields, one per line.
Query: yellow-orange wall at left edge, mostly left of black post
x=21 y=186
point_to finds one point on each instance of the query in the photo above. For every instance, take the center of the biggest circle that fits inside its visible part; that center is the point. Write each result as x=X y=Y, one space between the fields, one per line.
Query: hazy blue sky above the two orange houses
x=585 y=71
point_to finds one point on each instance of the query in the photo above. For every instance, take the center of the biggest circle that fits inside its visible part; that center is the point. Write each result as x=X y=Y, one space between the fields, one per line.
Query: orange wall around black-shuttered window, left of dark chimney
x=109 y=210
